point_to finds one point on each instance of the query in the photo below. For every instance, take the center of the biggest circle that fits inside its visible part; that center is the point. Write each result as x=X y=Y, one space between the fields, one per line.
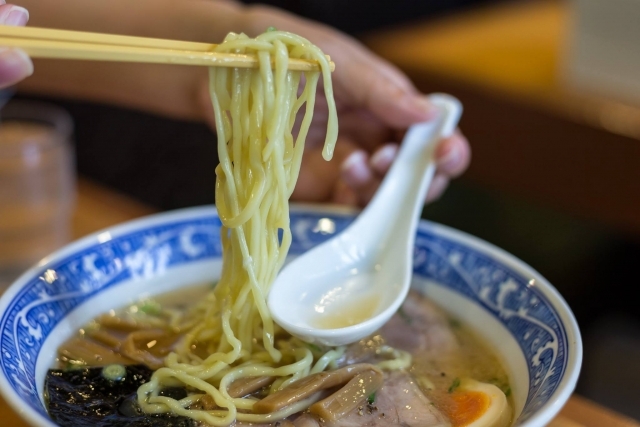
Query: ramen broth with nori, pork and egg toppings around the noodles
x=434 y=370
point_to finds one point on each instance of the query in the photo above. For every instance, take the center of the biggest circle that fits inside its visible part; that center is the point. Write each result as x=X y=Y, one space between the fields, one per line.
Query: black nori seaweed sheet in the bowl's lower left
x=84 y=398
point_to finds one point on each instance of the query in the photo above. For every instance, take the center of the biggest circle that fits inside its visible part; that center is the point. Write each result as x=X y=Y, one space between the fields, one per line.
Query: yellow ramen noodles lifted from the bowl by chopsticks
x=255 y=113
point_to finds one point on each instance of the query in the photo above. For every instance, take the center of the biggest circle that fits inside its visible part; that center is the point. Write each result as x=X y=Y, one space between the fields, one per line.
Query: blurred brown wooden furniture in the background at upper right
x=534 y=135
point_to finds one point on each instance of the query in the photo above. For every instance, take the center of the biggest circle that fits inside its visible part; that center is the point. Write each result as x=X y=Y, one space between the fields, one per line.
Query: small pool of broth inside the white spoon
x=338 y=316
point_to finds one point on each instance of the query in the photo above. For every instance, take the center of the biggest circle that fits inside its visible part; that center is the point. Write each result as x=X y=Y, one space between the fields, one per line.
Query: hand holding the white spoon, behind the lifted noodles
x=376 y=104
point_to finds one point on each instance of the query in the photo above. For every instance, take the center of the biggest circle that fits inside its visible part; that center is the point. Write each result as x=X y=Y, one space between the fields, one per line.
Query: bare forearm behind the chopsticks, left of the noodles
x=164 y=89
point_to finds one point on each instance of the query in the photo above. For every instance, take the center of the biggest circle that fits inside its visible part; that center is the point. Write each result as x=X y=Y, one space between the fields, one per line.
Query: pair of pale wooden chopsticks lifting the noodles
x=63 y=44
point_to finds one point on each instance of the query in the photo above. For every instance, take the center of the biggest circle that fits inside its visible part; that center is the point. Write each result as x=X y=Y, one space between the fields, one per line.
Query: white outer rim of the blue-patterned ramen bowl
x=543 y=415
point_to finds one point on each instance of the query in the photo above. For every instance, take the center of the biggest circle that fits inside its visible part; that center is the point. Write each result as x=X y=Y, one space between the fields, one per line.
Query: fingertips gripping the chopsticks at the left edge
x=15 y=64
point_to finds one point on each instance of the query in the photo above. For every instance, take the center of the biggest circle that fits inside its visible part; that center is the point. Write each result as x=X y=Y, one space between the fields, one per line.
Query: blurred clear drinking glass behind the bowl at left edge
x=37 y=184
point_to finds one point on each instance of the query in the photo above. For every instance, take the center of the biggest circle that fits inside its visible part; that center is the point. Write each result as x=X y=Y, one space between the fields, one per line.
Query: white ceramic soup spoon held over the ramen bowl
x=346 y=288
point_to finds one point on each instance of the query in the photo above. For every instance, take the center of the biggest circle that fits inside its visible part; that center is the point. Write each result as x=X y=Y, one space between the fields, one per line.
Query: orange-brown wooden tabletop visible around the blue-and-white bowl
x=98 y=207
